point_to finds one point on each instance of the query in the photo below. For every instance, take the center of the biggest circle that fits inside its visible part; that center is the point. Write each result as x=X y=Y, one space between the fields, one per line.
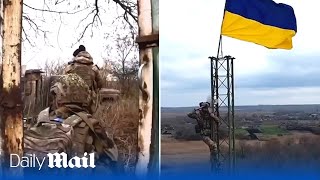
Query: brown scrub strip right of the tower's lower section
x=300 y=152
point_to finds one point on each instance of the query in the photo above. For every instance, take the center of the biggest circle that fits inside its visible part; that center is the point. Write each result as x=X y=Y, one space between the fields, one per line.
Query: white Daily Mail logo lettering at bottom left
x=55 y=160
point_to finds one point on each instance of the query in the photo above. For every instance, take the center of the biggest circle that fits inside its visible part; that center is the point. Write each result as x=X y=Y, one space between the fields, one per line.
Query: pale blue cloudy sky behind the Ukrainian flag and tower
x=189 y=34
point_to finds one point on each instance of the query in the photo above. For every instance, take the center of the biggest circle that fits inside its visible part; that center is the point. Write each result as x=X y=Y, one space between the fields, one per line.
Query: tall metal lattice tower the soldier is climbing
x=222 y=103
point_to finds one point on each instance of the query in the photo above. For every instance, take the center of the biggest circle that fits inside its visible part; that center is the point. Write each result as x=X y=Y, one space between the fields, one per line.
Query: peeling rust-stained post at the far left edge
x=11 y=119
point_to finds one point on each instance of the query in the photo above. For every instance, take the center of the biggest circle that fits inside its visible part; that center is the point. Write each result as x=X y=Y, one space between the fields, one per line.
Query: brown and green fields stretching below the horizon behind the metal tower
x=275 y=147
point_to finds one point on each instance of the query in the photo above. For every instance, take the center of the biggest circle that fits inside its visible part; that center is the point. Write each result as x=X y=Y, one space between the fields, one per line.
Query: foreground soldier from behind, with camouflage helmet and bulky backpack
x=67 y=126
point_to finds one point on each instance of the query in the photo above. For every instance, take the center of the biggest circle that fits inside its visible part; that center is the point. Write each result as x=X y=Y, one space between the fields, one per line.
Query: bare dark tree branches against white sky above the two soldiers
x=129 y=15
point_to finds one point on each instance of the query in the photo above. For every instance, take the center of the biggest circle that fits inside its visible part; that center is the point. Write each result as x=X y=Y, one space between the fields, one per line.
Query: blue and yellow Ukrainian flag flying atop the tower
x=263 y=22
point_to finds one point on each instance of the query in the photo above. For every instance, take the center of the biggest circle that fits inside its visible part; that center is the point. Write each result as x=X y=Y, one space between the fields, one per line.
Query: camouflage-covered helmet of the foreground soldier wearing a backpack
x=71 y=89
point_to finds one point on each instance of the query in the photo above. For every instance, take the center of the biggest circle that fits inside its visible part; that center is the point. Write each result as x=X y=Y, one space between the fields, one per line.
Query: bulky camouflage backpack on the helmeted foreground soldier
x=75 y=135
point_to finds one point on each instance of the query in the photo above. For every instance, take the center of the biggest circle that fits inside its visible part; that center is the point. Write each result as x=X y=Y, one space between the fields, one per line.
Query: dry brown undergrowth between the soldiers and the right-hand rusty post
x=121 y=120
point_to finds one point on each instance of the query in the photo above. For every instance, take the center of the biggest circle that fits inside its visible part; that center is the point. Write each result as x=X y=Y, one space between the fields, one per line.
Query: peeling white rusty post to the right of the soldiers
x=146 y=86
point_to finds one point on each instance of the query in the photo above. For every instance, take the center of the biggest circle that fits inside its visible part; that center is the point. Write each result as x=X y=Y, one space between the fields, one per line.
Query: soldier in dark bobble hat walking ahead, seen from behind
x=82 y=64
